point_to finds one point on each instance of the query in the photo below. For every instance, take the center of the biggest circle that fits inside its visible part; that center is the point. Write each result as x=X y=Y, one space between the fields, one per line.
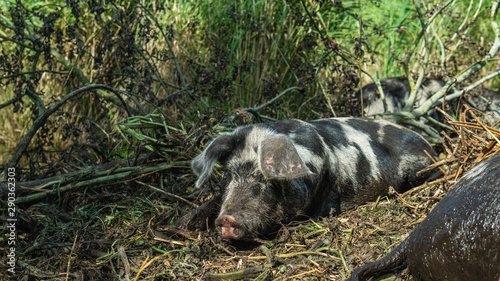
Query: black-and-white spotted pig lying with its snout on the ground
x=278 y=171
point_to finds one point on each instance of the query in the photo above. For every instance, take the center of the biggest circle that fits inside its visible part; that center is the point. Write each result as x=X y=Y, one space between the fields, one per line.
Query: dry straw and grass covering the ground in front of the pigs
x=117 y=232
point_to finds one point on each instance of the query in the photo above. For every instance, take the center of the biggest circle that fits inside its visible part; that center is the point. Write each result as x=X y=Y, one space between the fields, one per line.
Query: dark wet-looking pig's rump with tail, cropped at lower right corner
x=459 y=239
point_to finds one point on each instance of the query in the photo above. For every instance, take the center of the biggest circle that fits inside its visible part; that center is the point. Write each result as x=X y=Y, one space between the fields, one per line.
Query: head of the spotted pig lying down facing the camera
x=267 y=180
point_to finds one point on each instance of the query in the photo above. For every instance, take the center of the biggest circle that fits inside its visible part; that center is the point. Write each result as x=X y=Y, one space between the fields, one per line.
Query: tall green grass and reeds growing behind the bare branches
x=234 y=54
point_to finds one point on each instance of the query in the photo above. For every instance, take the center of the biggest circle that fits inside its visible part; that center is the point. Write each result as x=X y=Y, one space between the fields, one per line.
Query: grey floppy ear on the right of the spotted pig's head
x=279 y=159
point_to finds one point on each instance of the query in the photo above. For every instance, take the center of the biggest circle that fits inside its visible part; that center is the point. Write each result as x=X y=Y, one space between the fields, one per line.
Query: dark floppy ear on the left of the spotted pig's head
x=218 y=150
